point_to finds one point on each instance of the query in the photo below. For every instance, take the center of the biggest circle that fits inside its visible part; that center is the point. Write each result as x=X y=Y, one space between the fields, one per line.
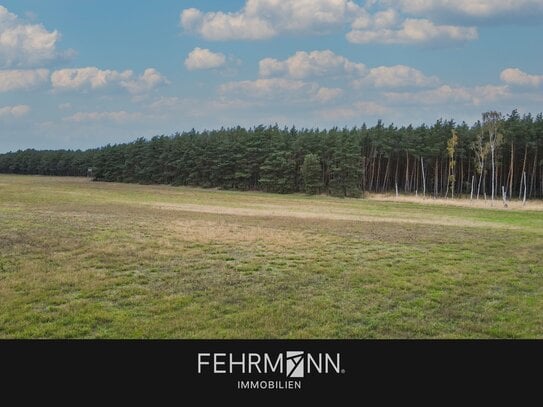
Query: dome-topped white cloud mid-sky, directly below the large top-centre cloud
x=310 y=64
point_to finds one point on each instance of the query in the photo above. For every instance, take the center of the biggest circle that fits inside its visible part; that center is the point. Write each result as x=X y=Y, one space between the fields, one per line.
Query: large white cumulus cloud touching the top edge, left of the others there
x=262 y=19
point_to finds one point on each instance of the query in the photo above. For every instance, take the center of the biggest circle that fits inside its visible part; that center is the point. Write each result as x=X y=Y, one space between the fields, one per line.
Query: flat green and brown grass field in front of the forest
x=89 y=260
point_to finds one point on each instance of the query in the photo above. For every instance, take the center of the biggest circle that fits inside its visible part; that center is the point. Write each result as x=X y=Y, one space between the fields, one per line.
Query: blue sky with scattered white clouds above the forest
x=81 y=74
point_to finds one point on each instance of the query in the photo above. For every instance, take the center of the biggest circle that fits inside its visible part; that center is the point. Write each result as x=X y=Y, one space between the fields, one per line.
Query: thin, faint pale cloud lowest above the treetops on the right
x=446 y=94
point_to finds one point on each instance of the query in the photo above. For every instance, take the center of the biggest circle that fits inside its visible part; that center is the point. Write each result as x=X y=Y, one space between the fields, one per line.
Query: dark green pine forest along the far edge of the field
x=497 y=155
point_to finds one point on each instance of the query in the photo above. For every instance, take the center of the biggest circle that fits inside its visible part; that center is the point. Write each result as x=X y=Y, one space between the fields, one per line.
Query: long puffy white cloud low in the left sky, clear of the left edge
x=94 y=78
